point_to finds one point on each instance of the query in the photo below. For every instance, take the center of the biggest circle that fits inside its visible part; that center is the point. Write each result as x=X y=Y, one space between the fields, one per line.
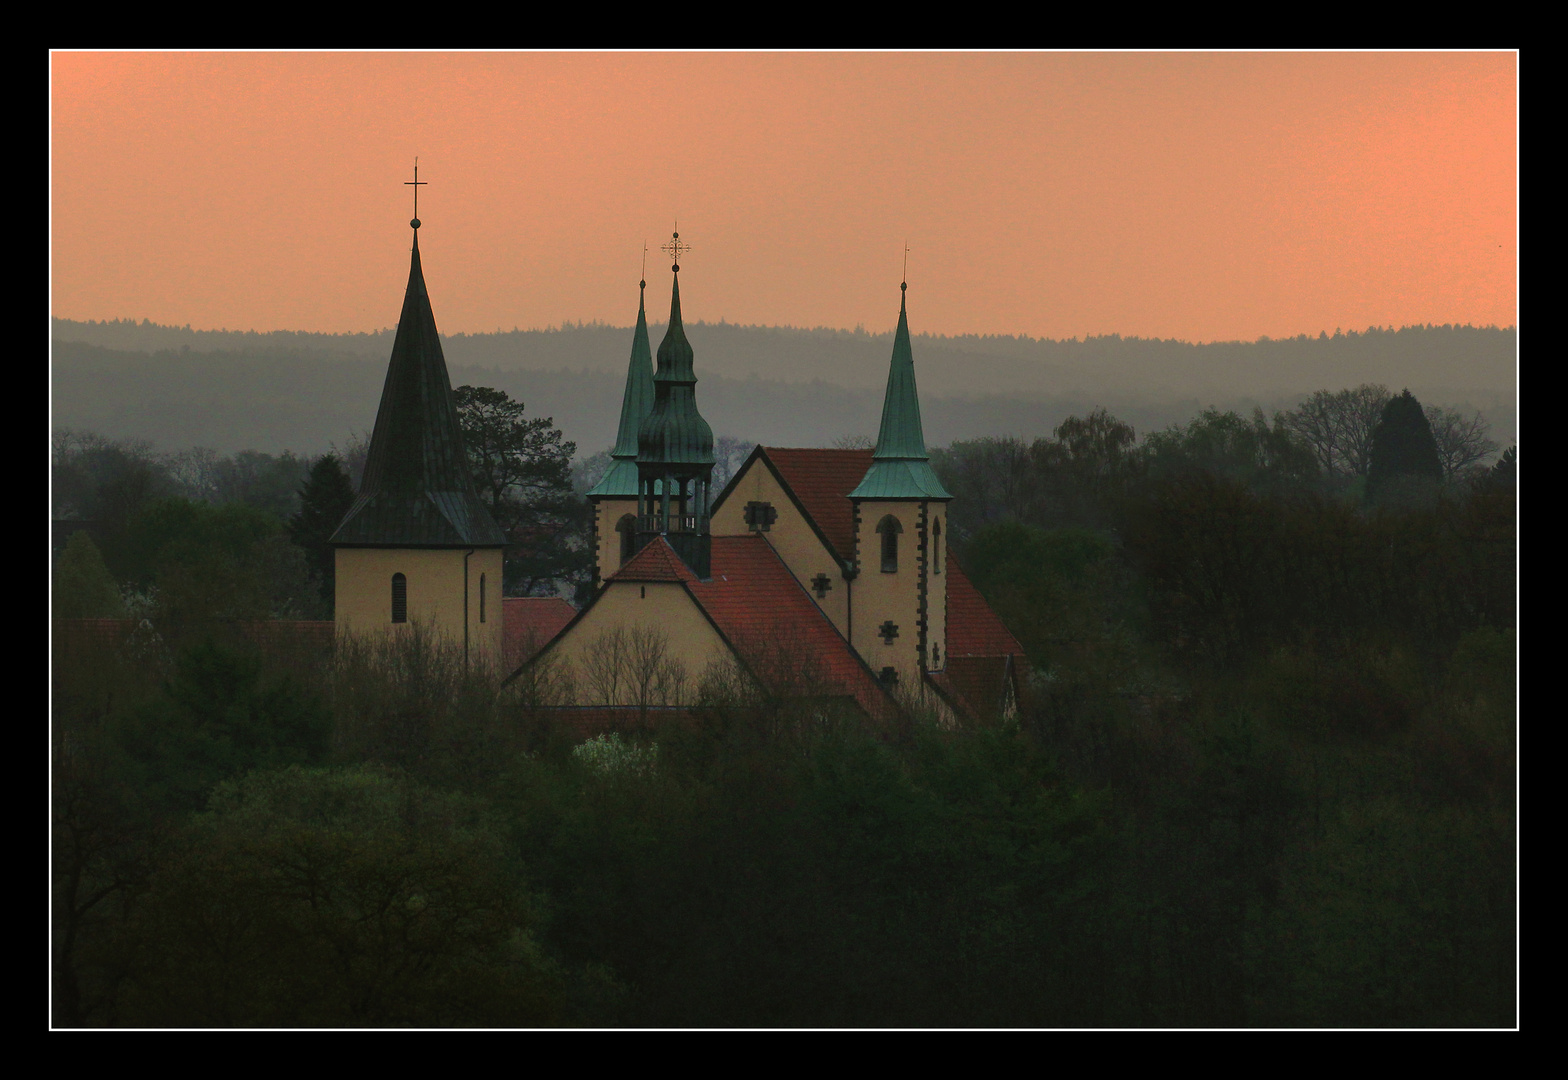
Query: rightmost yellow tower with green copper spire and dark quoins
x=901 y=510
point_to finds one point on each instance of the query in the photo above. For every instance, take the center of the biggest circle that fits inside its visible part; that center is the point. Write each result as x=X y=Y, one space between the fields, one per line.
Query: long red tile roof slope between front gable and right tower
x=777 y=628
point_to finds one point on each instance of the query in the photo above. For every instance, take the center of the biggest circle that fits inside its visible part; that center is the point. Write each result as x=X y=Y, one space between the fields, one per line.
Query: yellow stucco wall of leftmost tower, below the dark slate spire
x=435 y=592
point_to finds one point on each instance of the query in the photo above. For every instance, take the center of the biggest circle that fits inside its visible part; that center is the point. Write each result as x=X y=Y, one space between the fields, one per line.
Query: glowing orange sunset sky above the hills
x=1177 y=195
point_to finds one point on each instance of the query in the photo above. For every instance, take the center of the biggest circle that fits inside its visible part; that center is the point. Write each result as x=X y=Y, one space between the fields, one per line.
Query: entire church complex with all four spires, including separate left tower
x=827 y=567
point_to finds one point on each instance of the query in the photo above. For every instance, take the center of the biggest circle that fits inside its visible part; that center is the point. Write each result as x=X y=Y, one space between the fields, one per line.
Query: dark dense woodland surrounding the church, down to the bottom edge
x=1265 y=774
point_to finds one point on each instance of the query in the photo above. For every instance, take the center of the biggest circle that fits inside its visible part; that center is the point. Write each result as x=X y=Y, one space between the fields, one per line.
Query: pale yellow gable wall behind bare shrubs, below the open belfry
x=662 y=609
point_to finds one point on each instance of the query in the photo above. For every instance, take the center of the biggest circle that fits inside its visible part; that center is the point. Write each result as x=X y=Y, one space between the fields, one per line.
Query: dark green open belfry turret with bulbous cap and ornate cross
x=675 y=448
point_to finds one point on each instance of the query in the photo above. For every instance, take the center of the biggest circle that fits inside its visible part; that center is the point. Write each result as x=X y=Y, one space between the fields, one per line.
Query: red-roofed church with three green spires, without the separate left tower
x=830 y=562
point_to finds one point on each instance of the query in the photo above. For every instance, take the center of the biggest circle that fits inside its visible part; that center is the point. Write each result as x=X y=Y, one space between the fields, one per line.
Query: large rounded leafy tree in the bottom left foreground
x=336 y=899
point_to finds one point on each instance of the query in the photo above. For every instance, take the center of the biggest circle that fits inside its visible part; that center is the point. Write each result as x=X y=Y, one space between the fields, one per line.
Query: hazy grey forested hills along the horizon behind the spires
x=783 y=386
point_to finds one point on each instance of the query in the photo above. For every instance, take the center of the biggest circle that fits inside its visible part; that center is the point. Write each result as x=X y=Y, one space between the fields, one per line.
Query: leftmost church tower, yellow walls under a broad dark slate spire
x=418 y=545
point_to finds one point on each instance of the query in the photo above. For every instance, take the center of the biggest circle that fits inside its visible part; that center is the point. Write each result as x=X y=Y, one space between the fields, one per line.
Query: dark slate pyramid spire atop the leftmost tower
x=418 y=490
